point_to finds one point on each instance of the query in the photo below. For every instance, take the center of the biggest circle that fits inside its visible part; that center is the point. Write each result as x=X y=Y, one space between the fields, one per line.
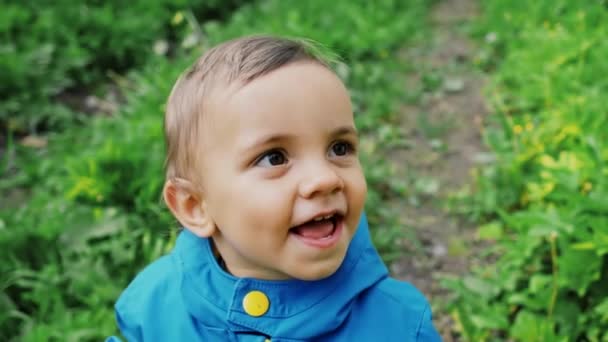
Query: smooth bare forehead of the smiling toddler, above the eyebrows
x=294 y=98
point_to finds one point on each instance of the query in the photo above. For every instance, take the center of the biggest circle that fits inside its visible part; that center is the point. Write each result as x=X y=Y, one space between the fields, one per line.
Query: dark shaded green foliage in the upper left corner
x=50 y=50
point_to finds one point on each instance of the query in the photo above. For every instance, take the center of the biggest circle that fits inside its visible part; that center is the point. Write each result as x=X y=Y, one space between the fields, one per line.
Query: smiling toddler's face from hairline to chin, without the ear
x=278 y=153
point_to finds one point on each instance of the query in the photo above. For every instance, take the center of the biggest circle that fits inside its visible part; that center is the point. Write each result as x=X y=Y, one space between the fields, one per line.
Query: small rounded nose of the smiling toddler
x=320 y=179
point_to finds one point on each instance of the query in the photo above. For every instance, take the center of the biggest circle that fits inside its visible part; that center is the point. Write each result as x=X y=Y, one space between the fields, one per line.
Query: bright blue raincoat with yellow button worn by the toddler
x=186 y=296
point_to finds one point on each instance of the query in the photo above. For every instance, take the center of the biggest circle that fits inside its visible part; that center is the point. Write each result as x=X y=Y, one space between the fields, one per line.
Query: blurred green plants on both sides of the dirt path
x=80 y=207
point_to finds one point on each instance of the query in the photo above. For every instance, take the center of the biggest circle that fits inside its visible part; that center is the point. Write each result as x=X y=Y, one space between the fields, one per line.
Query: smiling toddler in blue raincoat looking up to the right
x=263 y=173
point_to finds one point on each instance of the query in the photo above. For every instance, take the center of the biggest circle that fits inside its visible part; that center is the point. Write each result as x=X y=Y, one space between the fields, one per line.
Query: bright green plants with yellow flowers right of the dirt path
x=545 y=199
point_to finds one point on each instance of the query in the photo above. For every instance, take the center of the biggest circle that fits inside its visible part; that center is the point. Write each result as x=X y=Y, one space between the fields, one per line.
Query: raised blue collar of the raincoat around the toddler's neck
x=298 y=309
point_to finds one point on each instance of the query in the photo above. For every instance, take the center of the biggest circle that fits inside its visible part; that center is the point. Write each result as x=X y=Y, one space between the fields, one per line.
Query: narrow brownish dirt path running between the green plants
x=443 y=129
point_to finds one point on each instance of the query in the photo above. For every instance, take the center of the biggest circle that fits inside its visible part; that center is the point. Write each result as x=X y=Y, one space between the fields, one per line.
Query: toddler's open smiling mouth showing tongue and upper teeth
x=322 y=231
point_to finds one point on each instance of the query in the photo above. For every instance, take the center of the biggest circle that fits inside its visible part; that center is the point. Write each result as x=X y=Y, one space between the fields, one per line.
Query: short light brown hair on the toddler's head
x=240 y=60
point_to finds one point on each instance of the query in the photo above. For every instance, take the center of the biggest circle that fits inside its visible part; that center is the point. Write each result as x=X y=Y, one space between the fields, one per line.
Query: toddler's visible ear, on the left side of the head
x=188 y=206
